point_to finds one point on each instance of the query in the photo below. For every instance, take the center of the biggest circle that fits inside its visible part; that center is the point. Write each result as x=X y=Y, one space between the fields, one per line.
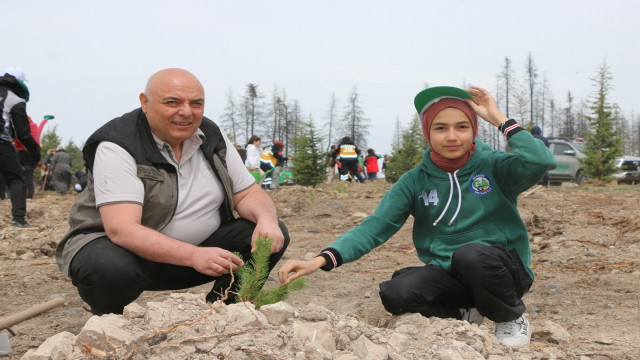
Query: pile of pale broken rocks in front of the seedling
x=186 y=327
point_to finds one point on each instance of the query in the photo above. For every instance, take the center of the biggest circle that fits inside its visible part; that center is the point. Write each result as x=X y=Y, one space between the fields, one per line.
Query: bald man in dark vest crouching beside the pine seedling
x=157 y=213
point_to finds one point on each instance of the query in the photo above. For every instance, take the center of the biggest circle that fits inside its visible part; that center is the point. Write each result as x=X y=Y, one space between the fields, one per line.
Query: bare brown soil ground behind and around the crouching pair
x=585 y=242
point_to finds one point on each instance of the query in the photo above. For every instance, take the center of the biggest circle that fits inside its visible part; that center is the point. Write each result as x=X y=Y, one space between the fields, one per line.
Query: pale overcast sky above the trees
x=87 y=61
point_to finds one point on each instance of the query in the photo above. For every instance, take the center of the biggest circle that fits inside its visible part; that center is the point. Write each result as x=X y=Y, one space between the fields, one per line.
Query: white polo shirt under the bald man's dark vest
x=200 y=193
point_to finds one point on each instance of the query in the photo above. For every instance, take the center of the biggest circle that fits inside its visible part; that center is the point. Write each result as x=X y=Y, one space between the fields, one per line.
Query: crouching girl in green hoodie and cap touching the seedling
x=477 y=261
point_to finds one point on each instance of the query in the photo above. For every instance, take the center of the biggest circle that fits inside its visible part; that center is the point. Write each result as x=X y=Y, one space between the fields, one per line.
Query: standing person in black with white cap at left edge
x=15 y=124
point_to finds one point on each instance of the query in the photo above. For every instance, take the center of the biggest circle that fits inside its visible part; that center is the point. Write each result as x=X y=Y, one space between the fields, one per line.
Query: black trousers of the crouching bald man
x=109 y=277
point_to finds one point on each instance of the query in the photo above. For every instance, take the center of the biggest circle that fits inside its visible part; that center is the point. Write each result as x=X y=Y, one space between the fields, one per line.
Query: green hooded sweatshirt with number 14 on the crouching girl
x=480 y=207
